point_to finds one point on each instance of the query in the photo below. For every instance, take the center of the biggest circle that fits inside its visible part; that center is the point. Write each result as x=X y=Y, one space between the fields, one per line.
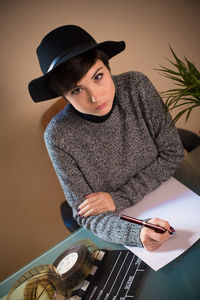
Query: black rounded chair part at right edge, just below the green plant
x=190 y=140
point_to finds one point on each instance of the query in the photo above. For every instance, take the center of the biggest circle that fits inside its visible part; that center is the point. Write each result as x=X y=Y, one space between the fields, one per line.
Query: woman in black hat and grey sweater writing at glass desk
x=112 y=144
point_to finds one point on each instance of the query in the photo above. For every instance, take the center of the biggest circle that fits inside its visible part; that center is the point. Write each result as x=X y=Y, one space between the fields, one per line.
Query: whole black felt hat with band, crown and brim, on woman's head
x=60 y=45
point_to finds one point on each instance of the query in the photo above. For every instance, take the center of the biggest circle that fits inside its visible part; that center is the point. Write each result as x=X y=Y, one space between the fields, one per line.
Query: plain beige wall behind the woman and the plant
x=30 y=193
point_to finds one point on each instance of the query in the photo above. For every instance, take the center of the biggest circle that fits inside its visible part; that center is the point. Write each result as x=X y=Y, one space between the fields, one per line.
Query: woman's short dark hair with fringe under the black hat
x=65 y=76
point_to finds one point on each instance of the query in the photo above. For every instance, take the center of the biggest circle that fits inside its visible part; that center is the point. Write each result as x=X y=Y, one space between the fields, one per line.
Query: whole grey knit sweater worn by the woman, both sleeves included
x=128 y=155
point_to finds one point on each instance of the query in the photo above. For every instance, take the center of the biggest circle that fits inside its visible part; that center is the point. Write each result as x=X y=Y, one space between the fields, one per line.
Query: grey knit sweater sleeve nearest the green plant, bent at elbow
x=167 y=141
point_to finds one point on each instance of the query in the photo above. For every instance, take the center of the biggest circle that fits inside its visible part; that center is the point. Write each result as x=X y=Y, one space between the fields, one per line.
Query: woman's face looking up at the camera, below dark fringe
x=94 y=93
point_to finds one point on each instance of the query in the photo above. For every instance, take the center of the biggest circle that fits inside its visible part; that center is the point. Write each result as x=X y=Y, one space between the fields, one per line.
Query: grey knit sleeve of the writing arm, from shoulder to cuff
x=107 y=226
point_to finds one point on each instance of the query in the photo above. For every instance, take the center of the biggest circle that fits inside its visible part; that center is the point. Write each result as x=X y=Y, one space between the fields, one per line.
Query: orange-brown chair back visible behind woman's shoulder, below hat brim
x=52 y=111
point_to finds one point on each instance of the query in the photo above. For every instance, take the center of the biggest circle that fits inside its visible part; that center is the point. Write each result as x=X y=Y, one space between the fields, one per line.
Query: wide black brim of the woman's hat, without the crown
x=39 y=87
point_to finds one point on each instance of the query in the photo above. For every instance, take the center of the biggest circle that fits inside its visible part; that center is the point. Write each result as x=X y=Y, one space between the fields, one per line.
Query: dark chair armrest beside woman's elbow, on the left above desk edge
x=67 y=216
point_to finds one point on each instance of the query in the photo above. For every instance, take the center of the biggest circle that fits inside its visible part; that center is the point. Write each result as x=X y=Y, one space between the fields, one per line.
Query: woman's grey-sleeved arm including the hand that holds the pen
x=107 y=225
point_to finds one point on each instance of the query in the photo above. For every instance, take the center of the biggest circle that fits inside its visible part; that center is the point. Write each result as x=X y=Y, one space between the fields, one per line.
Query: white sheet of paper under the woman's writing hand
x=177 y=204
